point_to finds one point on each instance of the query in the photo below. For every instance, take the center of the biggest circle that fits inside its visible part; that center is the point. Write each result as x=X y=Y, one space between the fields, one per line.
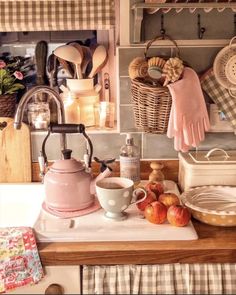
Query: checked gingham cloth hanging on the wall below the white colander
x=220 y=95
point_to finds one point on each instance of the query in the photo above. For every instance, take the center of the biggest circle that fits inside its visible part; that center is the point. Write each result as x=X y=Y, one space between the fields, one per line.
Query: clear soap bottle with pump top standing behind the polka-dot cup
x=130 y=160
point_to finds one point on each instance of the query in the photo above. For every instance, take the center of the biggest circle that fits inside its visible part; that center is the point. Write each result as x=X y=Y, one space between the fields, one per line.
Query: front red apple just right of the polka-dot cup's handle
x=155 y=212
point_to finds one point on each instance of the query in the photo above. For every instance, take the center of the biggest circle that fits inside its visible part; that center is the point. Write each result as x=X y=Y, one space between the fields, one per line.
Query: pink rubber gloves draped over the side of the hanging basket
x=189 y=113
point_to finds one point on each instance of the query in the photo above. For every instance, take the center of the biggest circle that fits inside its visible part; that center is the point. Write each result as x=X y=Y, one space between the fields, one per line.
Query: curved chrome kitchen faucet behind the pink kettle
x=28 y=95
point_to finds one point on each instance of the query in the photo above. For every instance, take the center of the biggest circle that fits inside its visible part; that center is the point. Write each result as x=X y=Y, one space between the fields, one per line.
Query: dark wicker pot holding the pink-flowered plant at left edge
x=7 y=105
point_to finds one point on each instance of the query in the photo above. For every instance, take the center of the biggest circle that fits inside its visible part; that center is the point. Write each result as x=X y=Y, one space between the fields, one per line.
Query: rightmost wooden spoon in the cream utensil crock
x=99 y=60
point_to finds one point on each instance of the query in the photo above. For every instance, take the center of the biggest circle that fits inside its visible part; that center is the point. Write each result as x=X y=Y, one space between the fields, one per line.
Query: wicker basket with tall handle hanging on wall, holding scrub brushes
x=151 y=103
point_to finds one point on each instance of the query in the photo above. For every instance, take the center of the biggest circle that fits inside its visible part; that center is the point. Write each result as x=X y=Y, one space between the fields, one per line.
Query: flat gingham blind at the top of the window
x=57 y=15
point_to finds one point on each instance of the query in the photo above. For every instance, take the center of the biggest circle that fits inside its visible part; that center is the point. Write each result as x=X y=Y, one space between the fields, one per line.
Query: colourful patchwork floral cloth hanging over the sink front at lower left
x=19 y=259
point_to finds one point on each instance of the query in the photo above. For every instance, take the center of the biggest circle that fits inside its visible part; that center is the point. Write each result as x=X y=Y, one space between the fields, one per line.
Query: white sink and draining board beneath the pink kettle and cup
x=21 y=205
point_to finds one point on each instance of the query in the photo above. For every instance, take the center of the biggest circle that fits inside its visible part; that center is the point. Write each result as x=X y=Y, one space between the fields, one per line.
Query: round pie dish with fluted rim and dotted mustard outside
x=215 y=205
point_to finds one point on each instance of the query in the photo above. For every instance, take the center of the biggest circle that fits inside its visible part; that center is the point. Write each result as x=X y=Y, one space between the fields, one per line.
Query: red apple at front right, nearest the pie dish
x=178 y=215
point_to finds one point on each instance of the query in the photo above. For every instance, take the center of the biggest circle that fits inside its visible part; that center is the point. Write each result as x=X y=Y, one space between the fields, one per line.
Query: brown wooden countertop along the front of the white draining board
x=215 y=245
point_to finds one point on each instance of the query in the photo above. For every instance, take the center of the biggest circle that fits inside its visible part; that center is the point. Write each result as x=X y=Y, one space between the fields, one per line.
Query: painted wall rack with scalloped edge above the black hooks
x=138 y=10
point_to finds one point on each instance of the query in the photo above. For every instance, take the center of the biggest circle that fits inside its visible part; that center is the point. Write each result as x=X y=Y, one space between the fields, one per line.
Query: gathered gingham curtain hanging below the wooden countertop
x=160 y=279
